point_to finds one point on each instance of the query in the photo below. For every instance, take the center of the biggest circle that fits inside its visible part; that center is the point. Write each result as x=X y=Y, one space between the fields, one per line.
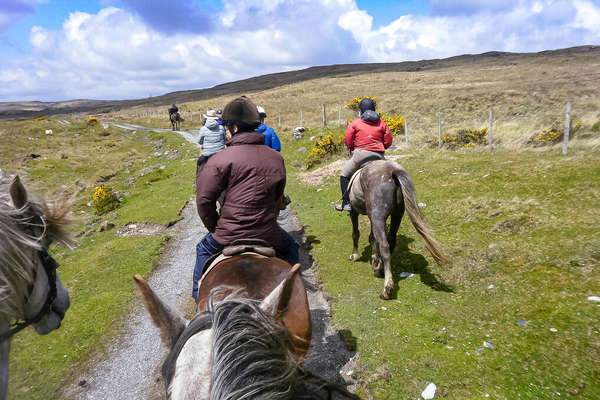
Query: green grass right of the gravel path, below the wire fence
x=522 y=229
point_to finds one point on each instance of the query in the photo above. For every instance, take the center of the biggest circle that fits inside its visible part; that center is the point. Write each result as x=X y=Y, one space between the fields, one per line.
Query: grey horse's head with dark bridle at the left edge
x=30 y=289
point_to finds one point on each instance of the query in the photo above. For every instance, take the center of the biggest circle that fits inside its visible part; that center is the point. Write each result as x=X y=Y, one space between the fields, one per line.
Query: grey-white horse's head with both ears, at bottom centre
x=237 y=347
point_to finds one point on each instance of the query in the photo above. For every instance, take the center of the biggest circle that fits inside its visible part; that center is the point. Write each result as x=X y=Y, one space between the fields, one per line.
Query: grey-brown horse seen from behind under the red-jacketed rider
x=384 y=189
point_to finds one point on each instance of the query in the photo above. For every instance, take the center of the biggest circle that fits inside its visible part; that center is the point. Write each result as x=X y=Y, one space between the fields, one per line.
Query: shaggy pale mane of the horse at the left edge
x=17 y=270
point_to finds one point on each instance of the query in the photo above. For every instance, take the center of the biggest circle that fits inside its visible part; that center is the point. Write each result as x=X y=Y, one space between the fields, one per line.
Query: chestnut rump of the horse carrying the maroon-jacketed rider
x=256 y=276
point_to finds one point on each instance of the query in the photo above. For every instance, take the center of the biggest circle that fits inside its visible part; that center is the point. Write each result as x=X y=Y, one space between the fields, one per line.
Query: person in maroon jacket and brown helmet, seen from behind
x=253 y=176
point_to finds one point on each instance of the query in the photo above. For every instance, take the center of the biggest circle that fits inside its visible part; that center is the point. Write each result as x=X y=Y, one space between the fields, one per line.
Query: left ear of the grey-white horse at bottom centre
x=170 y=321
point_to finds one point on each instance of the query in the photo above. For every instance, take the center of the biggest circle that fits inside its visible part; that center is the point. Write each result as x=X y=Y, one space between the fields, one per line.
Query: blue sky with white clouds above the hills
x=55 y=50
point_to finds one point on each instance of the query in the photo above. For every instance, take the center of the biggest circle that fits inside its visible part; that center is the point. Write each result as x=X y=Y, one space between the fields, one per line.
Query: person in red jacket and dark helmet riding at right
x=367 y=138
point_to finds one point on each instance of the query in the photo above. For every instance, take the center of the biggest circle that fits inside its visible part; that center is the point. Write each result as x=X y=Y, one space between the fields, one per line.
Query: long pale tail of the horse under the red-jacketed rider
x=416 y=216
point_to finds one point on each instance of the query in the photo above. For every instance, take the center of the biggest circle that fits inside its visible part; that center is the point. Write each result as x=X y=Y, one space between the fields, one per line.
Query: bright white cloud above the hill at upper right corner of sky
x=525 y=27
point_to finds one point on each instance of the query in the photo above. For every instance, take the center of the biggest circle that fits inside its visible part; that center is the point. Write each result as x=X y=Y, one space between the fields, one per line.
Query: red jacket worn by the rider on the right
x=367 y=135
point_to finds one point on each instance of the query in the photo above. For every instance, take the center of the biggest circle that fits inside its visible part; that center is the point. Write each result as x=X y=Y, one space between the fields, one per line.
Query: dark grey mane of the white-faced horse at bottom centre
x=253 y=356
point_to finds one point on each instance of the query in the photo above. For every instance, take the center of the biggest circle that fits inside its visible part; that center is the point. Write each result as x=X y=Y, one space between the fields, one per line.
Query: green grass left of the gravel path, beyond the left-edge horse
x=153 y=186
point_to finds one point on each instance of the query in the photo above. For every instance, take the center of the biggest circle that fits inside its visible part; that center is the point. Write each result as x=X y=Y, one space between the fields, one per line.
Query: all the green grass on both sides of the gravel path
x=522 y=228
